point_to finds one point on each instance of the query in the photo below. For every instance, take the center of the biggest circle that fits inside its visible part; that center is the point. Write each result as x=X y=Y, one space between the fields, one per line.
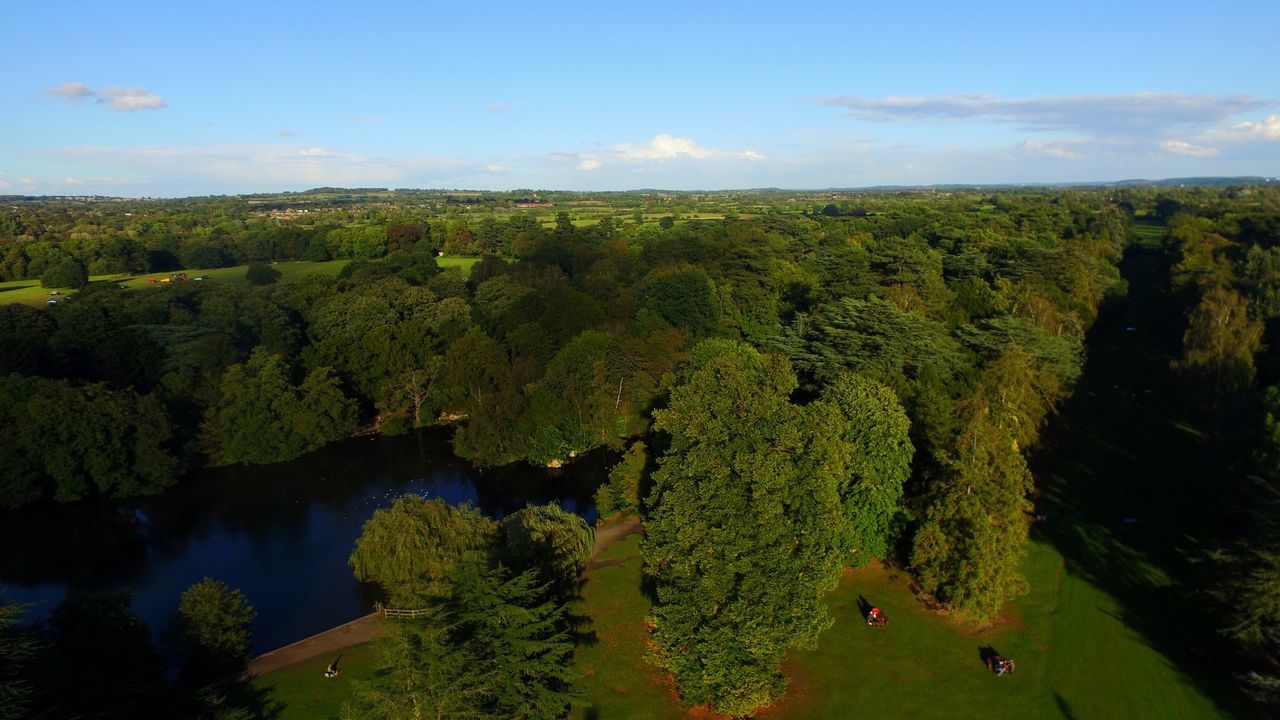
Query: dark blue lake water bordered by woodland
x=281 y=534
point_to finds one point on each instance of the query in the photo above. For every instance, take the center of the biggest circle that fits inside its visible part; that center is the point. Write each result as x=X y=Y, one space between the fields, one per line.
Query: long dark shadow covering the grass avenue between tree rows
x=1122 y=485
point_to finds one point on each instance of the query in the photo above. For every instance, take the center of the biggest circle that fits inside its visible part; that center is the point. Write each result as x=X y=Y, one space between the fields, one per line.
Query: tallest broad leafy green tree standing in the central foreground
x=743 y=541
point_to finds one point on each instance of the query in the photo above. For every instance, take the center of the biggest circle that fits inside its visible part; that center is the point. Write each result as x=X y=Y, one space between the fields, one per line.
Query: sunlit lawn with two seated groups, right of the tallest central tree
x=1076 y=658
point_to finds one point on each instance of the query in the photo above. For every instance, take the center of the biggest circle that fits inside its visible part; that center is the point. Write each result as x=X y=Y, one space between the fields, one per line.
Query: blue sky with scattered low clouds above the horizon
x=177 y=99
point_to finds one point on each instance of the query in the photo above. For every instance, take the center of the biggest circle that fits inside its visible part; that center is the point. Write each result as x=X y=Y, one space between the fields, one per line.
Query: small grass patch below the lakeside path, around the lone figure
x=305 y=694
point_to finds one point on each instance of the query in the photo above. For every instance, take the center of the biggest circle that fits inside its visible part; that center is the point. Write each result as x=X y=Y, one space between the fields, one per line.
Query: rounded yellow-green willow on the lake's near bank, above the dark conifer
x=410 y=548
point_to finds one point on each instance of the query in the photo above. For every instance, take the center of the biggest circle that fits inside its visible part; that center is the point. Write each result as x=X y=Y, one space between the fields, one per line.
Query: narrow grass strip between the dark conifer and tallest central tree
x=614 y=677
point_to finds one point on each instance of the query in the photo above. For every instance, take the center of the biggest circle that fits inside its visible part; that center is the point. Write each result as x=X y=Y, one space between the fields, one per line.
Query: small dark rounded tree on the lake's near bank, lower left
x=211 y=631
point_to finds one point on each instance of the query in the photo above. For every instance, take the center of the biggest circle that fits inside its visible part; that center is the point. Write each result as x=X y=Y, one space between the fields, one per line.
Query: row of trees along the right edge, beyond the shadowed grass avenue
x=1224 y=249
